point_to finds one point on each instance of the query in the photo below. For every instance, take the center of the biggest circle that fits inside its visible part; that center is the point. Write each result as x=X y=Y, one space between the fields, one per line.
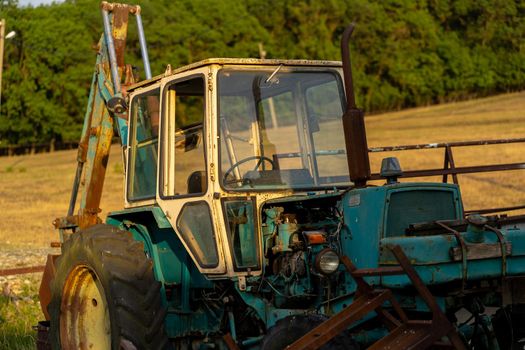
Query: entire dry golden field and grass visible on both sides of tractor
x=34 y=190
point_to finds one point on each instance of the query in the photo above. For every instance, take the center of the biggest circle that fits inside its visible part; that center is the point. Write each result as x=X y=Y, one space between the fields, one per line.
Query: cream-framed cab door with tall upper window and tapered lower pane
x=184 y=193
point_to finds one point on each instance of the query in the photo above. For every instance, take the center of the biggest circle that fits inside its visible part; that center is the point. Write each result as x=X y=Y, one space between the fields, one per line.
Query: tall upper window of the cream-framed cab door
x=185 y=145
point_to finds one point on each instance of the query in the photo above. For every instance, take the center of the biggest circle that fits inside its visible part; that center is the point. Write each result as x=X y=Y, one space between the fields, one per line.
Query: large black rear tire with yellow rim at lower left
x=104 y=294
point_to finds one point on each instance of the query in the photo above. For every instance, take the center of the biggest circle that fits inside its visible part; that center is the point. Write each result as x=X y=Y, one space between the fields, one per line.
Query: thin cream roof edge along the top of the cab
x=234 y=61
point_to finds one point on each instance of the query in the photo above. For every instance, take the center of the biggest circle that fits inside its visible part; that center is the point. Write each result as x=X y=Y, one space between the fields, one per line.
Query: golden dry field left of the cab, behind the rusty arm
x=34 y=190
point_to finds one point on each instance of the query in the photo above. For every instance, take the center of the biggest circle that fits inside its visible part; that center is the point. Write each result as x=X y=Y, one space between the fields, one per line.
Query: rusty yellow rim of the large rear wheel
x=84 y=313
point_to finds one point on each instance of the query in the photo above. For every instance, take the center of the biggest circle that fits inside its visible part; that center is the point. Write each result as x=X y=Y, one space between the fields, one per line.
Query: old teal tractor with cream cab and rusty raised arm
x=250 y=220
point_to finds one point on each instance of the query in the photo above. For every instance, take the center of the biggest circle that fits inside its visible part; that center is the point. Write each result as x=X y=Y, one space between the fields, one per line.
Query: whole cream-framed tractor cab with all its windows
x=210 y=142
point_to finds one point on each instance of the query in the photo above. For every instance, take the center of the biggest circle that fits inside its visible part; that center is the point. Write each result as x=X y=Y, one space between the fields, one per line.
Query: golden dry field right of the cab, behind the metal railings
x=498 y=117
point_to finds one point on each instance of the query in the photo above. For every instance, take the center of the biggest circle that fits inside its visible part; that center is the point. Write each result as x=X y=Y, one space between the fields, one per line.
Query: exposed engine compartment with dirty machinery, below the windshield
x=301 y=245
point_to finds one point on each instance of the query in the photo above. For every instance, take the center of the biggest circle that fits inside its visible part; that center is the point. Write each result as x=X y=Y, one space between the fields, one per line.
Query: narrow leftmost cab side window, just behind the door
x=142 y=175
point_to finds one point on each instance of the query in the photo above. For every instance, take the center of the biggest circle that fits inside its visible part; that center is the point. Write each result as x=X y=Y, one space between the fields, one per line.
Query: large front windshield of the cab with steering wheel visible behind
x=281 y=128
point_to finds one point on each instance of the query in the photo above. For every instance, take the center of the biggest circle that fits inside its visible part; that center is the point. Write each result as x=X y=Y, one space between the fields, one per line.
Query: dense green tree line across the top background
x=405 y=52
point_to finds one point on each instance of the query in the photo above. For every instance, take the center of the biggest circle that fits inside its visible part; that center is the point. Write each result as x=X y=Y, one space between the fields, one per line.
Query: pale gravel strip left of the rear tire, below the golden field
x=12 y=286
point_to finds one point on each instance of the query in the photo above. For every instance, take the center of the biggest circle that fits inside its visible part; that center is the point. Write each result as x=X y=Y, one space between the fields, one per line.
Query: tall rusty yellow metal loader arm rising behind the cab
x=106 y=106
